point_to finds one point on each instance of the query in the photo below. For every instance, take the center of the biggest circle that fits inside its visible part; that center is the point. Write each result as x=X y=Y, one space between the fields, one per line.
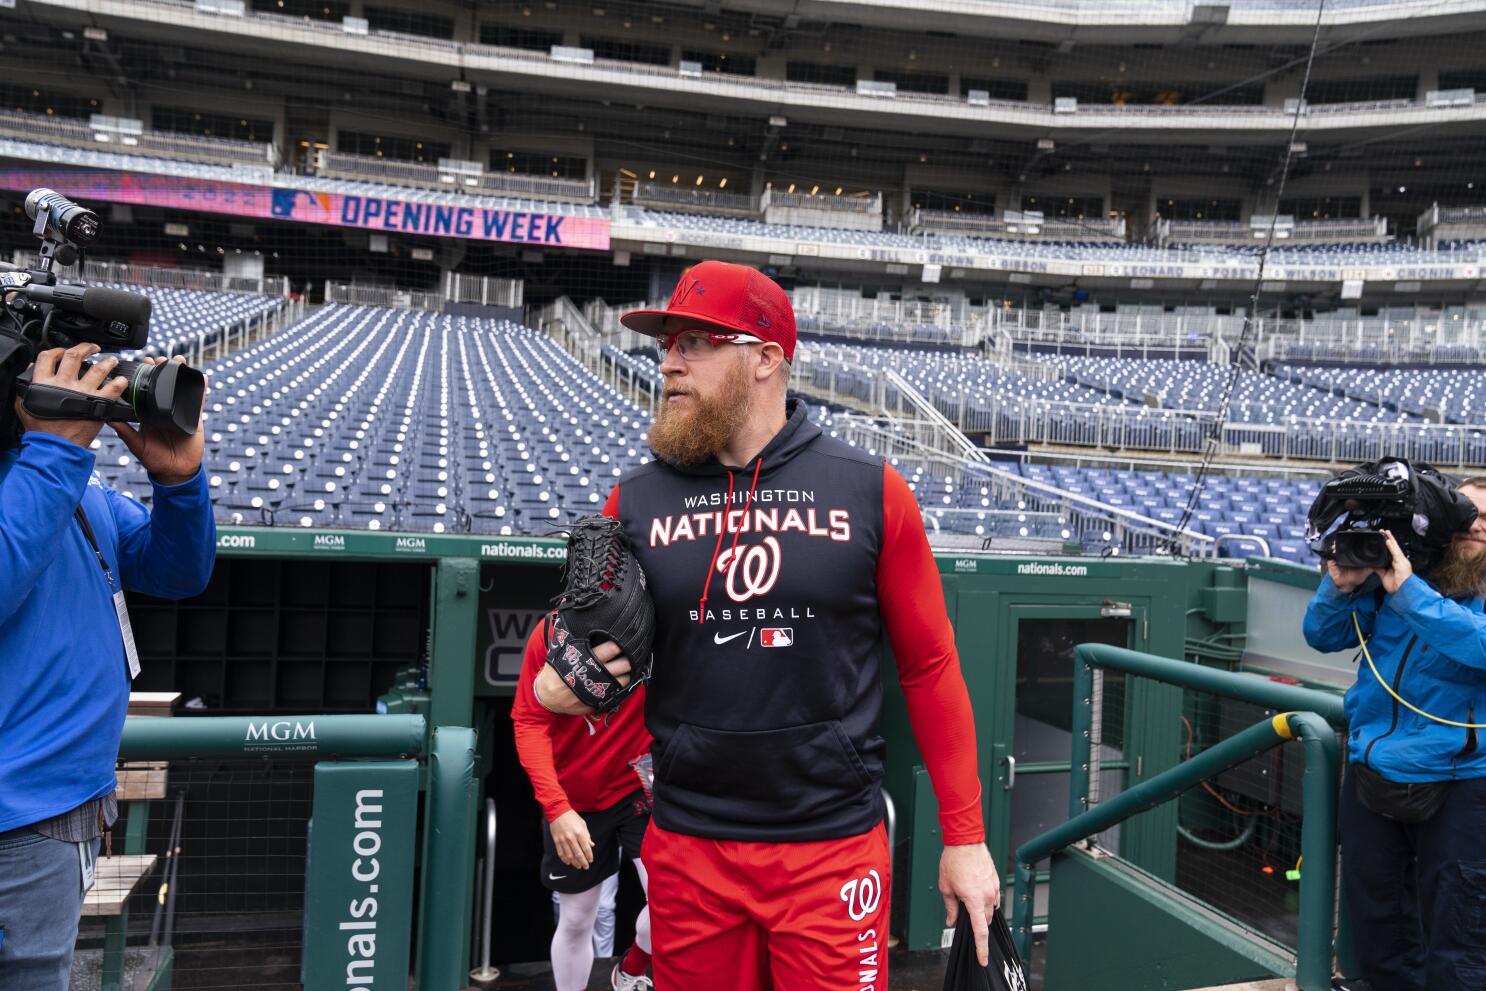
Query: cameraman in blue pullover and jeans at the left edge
x=69 y=546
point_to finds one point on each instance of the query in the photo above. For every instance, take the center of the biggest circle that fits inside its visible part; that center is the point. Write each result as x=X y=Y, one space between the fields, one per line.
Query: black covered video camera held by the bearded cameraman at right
x=1415 y=503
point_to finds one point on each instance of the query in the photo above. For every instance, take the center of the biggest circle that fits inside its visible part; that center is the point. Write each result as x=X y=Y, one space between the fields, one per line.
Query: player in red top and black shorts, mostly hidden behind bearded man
x=597 y=815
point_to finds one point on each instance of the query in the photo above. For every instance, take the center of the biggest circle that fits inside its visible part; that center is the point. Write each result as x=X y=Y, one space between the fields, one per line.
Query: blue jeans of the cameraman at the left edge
x=41 y=900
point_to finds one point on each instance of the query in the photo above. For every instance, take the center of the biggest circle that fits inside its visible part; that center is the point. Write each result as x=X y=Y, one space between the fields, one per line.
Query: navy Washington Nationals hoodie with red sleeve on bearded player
x=766 y=690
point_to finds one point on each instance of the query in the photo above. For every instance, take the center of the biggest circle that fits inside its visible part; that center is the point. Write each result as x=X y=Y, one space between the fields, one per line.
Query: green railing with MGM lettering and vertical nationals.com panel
x=368 y=772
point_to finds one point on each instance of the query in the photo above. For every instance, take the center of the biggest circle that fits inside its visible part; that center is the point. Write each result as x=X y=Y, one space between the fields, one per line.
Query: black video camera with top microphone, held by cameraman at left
x=38 y=313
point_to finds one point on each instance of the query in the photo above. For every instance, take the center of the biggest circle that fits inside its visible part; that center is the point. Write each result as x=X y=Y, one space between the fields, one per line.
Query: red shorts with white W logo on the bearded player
x=732 y=916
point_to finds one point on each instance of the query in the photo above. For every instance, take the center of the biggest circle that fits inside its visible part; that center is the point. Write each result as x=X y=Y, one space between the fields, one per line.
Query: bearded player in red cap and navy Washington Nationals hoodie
x=776 y=559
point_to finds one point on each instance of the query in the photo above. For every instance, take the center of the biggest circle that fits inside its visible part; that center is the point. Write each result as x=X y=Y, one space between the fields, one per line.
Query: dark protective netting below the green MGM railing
x=203 y=879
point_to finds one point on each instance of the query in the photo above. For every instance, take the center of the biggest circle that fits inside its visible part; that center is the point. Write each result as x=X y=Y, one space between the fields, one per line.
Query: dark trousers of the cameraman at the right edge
x=1417 y=892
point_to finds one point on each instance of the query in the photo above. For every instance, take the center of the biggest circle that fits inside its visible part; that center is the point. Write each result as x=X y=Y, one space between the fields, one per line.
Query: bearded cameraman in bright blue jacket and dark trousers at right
x=1414 y=802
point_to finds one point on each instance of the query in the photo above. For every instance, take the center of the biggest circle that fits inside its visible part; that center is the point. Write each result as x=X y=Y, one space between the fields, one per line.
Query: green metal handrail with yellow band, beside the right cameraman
x=1307 y=715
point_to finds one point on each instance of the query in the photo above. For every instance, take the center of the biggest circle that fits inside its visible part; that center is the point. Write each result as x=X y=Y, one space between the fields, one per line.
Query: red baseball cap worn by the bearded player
x=732 y=298
